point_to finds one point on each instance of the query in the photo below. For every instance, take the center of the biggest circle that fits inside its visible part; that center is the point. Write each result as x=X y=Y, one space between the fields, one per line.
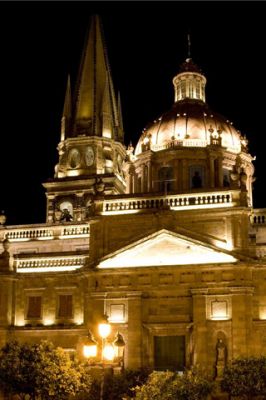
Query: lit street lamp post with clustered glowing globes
x=108 y=351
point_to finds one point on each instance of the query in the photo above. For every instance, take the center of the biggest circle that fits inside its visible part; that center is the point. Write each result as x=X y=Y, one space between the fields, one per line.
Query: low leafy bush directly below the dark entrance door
x=192 y=385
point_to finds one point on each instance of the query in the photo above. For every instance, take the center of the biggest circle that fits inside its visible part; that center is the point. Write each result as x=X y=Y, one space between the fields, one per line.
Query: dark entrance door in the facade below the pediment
x=169 y=353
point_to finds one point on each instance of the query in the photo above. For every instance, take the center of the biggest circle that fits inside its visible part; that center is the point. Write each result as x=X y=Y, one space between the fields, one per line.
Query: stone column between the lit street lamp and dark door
x=133 y=351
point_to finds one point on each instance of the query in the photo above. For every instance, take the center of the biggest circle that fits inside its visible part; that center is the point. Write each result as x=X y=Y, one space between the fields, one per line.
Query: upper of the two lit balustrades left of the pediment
x=37 y=232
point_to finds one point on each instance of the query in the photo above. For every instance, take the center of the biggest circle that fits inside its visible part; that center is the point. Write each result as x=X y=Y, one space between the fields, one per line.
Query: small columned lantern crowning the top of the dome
x=189 y=83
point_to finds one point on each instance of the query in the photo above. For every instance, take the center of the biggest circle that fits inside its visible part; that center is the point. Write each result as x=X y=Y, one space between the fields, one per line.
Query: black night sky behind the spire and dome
x=41 y=41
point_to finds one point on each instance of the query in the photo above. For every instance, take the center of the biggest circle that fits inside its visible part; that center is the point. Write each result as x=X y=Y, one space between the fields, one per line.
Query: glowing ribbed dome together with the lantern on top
x=190 y=122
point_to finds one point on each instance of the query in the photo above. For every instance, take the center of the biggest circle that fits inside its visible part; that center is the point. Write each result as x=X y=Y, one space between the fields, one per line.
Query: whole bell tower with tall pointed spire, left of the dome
x=91 y=150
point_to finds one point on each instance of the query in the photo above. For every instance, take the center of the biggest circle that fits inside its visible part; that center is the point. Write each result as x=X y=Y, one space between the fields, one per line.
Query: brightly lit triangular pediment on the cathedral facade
x=165 y=248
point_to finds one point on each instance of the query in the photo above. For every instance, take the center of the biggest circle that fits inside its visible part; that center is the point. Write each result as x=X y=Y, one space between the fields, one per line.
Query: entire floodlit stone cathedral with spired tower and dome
x=161 y=239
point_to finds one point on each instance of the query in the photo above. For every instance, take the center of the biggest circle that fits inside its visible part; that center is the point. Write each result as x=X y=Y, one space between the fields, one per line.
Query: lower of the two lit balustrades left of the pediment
x=49 y=264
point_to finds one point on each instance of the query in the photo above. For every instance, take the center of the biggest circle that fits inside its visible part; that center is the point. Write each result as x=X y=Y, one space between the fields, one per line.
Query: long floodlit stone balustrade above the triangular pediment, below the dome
x=173 y=202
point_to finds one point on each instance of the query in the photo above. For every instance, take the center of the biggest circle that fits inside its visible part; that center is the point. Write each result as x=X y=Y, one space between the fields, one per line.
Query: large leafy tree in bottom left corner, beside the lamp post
x=41 y=371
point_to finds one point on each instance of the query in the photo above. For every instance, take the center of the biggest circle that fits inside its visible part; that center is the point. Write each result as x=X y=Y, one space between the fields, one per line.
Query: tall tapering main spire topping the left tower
x=94 y=86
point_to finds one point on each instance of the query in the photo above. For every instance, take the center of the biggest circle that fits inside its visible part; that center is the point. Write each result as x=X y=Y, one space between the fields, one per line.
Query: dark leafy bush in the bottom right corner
x=245 y=377
